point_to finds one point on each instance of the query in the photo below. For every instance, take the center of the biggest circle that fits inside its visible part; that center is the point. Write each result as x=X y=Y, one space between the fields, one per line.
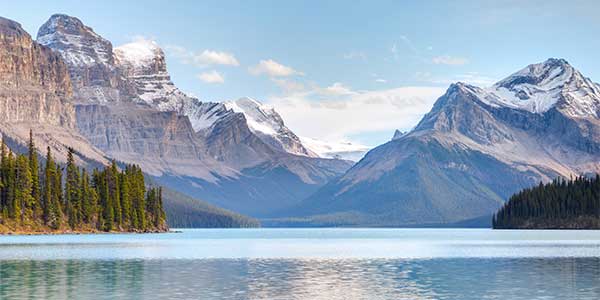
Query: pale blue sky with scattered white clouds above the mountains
x=340 y=70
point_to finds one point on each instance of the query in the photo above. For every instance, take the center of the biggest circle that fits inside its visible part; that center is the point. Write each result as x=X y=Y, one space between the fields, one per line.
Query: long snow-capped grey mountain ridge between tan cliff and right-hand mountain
x=238 y=155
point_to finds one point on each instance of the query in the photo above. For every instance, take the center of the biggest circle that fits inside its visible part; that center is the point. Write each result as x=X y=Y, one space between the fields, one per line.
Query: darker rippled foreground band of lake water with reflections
x=463 y=278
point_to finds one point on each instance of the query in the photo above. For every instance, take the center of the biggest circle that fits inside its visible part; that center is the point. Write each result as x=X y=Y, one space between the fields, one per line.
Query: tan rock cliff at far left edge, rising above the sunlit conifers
x=35 y=91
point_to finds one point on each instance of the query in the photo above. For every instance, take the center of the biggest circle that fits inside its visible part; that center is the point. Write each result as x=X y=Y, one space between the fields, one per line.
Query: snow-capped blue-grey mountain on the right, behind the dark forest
x=474 y=149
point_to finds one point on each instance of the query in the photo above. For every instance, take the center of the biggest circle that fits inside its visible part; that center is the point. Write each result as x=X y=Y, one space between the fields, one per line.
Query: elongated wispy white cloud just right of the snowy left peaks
x=202 y=59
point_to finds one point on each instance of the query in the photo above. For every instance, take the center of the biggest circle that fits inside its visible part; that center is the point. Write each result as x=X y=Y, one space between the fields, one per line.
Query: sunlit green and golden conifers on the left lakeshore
x=57 y=198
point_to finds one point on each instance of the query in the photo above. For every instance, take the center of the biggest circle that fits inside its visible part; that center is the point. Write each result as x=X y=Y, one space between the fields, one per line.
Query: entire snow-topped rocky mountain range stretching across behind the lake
x=462 y=161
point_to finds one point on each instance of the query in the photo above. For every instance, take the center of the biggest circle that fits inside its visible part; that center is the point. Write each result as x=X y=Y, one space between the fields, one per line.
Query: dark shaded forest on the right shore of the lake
x=561 y=204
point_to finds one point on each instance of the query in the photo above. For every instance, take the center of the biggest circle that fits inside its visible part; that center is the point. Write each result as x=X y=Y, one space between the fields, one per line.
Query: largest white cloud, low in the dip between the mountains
x=309 y=113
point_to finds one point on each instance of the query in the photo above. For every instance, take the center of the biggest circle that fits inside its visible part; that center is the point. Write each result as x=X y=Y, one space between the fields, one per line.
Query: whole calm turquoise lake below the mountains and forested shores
x=304 y=264
